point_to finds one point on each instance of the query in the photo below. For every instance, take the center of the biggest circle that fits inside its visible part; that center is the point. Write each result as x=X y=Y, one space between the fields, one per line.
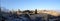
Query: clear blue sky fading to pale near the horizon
x=31 y=4
